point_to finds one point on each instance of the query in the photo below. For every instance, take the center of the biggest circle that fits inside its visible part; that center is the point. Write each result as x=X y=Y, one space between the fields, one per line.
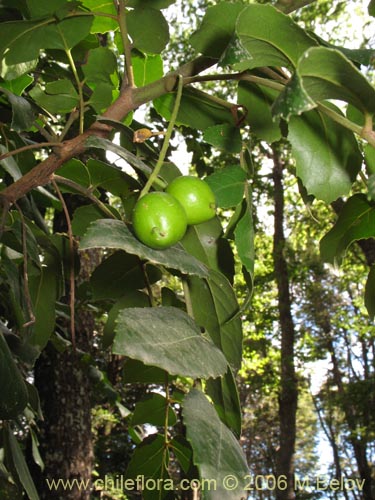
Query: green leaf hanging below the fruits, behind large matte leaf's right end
x=215 y=308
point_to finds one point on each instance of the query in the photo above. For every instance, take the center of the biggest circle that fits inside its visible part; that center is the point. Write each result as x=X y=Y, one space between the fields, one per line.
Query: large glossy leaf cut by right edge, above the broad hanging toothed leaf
x=327 y=74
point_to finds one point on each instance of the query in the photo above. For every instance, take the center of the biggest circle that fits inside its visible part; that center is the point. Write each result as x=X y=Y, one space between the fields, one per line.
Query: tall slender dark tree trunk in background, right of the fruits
x=288 y=383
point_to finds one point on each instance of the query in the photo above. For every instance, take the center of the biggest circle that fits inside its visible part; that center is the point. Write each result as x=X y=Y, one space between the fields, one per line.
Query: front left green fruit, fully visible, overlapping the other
x=159 y=221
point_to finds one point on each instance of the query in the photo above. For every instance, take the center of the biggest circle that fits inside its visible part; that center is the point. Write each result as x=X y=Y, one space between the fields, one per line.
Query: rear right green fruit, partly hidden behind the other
x=196 y=196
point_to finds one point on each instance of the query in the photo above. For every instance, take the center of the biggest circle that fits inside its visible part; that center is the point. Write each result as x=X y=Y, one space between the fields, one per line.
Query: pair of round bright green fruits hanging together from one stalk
x=160 y=219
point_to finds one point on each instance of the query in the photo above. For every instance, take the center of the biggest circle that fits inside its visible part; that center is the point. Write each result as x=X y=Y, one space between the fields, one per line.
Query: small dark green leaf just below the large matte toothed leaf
x=151 y=410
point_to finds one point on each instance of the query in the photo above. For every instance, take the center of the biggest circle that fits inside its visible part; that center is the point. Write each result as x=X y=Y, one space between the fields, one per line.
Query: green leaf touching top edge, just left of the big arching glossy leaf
x=216 y=30
